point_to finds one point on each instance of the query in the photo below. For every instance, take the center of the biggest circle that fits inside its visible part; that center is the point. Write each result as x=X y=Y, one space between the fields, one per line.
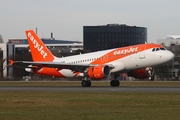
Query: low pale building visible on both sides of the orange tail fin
x=20 y=46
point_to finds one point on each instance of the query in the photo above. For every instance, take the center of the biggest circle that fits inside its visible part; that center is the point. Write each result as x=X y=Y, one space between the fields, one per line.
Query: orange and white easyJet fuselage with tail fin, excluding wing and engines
x=120 y=60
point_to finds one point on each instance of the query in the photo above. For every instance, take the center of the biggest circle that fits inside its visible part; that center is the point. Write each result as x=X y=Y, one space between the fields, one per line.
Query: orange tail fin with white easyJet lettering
x=38 y=49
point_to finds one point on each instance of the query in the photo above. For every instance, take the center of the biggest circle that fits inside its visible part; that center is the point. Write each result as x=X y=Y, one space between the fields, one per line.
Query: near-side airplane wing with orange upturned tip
x=59 y=65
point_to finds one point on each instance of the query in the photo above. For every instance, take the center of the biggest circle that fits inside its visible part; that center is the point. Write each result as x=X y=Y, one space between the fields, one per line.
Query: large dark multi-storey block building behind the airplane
x=108 y=36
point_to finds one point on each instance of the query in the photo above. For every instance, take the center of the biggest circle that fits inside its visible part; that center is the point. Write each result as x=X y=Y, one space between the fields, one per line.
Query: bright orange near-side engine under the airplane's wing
x=98 y=72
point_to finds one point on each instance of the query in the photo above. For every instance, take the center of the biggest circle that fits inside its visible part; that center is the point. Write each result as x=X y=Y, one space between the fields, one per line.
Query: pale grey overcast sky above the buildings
x=66 y=18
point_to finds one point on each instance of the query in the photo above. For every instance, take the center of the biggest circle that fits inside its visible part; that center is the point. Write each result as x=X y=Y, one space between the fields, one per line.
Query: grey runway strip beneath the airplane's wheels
x=91 y=89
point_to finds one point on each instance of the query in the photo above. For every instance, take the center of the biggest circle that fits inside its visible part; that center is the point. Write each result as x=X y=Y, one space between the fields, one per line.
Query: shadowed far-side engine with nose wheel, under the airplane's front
x=144 y=73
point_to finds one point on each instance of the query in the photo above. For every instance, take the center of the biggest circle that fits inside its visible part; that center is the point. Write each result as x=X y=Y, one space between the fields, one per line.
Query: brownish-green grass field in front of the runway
x=89 y=106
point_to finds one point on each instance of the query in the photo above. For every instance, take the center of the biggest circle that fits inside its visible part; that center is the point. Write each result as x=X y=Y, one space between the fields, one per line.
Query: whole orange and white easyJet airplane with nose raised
x=137 y=61
